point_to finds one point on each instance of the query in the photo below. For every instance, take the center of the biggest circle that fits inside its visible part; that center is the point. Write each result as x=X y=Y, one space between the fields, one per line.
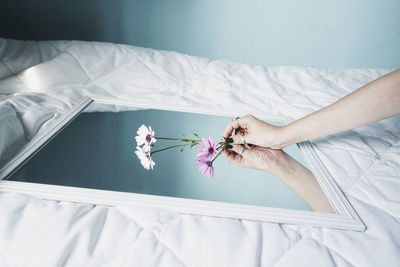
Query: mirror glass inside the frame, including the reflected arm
x=97 y=150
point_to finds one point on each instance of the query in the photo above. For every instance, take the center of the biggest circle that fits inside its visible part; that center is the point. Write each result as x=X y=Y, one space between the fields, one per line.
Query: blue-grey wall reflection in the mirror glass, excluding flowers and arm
x=97 y=149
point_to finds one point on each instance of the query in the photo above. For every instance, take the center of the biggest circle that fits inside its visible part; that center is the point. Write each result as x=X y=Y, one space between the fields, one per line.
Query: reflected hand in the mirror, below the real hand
x=258 y=158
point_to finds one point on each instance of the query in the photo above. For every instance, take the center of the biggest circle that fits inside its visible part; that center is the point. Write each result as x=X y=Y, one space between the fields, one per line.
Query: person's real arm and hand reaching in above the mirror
x=375 y=101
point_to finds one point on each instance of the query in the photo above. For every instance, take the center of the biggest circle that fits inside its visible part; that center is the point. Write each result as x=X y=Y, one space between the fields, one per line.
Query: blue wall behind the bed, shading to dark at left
x=327 y=34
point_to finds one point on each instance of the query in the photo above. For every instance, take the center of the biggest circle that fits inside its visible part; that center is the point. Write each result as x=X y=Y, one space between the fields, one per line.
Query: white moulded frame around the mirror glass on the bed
x=345 y=217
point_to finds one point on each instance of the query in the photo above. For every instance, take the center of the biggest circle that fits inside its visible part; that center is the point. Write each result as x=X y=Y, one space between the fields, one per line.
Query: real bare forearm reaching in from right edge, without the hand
x=375 y=101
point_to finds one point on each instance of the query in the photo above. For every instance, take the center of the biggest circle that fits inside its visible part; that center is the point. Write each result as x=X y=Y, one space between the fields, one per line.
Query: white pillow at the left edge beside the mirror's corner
x=12 y=136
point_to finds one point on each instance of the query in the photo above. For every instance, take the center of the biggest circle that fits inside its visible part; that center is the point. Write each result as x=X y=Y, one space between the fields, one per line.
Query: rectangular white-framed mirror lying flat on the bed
x=89 y=156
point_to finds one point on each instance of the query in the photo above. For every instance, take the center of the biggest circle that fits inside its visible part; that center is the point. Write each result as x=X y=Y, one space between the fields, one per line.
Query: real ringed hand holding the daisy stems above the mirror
x=256 y=132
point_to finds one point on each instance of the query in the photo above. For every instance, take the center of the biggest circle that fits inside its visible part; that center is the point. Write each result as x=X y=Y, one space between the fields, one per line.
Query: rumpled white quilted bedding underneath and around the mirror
x=40 y=80
